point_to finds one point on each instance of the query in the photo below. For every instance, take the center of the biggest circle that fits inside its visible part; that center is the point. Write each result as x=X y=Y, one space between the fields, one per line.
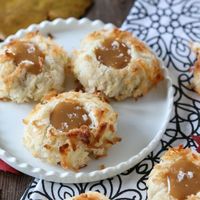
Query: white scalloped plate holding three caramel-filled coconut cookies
x=141 y=123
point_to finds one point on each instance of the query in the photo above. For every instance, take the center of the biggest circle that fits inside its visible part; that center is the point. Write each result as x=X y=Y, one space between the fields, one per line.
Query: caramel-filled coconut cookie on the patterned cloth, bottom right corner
x=176 y=177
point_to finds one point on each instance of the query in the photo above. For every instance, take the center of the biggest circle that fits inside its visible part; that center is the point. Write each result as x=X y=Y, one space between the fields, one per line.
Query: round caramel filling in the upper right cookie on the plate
x=113 y=53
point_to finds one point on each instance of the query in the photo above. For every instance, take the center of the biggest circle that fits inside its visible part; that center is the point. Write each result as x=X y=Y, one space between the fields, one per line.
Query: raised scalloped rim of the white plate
x=80 y=177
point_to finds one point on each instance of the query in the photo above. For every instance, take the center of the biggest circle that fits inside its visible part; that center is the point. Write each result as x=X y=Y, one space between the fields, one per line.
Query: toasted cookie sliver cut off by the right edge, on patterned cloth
x=196 y=80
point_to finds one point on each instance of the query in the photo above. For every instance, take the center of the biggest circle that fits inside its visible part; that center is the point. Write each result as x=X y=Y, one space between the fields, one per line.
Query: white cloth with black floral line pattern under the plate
x=168 y=27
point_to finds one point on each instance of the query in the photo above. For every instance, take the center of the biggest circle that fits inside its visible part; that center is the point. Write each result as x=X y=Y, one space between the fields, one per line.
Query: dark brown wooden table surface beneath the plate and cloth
x=115 y=11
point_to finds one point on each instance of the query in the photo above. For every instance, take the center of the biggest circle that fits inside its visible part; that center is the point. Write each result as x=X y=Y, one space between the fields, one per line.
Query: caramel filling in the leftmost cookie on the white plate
x=26 y=54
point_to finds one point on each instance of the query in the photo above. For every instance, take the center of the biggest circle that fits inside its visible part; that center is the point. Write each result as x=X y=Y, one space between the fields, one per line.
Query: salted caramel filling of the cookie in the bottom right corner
x=183 y=179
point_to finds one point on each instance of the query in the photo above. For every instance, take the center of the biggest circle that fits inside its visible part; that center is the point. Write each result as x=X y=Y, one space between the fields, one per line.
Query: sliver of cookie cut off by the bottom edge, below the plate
x=89 y=196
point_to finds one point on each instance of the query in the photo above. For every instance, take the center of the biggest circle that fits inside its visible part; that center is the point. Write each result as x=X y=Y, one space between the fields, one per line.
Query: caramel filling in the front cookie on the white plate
x=69 y=115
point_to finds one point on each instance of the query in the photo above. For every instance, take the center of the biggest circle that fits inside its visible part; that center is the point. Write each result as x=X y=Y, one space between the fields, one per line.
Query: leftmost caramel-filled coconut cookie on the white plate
x=30 y=67
